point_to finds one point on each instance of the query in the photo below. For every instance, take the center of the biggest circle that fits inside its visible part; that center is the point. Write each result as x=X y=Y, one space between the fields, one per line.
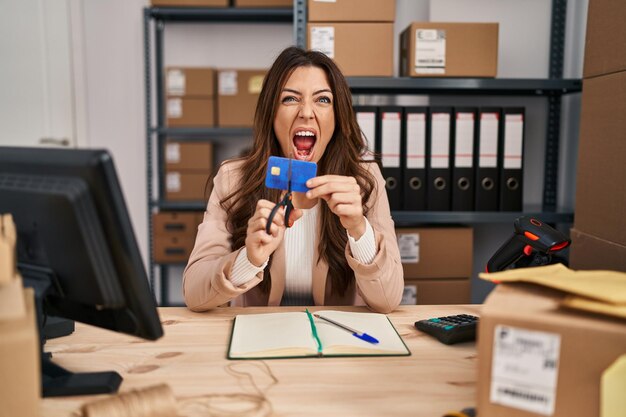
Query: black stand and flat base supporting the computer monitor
x=57 y=381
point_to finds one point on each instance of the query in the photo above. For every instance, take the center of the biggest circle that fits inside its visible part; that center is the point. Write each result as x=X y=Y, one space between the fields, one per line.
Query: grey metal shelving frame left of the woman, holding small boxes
x=155 y=20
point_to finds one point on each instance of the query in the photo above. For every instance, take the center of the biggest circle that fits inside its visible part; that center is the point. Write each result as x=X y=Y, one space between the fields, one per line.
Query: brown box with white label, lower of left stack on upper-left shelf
x=190 y=112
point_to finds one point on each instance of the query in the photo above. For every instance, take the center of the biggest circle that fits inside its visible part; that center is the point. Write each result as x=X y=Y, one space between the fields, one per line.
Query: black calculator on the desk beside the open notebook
x=450 y=329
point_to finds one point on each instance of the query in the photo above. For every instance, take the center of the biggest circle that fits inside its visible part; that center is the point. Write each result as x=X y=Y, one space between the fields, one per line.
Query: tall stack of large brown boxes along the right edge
x=599 y=233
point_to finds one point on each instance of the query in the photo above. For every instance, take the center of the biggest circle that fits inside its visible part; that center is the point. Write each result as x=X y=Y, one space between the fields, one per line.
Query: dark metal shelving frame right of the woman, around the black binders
x=552 y=88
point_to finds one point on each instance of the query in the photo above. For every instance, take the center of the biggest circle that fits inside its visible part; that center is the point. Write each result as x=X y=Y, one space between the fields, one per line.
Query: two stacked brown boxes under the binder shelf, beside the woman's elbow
x=437 y=264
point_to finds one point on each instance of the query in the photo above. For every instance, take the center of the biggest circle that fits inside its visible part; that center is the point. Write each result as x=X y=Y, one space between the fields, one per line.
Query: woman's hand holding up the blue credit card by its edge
x=343 y=196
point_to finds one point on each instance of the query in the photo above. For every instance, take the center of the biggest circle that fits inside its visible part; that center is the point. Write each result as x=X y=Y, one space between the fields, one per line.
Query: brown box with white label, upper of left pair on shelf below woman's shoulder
x=188 y=155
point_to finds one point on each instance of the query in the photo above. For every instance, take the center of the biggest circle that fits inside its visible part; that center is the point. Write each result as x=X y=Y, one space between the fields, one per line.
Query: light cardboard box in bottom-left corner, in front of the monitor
x=20 y=387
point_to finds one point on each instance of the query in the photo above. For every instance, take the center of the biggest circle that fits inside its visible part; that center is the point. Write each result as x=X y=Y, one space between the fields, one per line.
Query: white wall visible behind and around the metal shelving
x=113 y=33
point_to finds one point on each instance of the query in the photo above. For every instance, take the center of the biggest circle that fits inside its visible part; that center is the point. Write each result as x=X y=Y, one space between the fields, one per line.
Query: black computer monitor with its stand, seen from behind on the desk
x=76 y=247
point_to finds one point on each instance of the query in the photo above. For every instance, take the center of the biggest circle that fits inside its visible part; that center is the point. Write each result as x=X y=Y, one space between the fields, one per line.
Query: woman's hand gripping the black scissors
x=259 y=244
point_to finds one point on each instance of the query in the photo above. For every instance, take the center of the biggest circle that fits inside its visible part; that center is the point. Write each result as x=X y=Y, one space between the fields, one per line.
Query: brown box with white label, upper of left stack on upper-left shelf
x=190 y=82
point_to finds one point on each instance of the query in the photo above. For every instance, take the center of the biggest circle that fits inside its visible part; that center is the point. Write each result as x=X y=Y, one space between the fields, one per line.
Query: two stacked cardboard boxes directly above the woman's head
x=357 y=34
